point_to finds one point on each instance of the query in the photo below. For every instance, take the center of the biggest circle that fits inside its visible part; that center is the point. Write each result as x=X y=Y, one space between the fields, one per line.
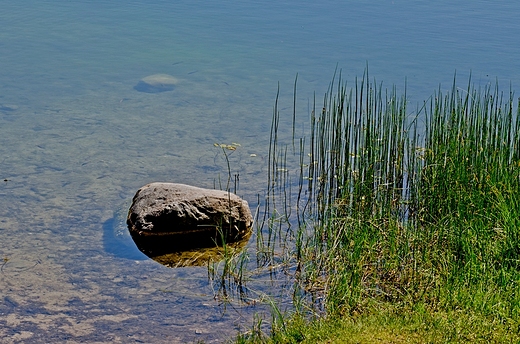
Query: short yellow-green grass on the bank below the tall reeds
x=385 y=324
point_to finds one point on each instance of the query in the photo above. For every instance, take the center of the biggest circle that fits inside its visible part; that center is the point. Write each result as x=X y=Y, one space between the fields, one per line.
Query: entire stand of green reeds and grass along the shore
x=394 y=225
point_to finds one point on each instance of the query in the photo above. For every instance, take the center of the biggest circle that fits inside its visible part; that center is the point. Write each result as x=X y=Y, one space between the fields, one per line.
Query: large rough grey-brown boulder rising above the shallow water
x=168 y=217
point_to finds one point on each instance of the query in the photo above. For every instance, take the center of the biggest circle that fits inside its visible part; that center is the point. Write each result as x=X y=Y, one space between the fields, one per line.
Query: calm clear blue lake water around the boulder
x=77 y=140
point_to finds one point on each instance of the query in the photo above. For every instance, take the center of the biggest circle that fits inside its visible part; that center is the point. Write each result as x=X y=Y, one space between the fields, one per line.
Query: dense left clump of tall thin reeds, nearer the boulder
x=361 y=186
